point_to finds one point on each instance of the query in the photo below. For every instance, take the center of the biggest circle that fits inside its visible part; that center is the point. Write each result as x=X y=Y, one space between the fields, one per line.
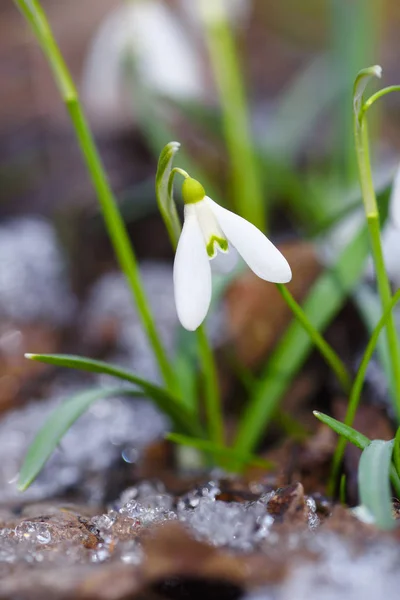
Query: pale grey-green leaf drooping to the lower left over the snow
x=56 y=426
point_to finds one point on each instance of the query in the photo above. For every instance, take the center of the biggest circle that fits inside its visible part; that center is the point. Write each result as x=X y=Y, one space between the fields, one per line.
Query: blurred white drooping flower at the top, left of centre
x=165 y=59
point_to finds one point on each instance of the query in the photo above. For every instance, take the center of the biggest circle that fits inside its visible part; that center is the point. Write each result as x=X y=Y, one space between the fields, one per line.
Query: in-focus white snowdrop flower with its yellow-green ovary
x=208 y=230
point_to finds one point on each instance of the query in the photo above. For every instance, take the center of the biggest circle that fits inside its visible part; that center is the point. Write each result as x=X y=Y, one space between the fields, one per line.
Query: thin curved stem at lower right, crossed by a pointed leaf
x=355 y=393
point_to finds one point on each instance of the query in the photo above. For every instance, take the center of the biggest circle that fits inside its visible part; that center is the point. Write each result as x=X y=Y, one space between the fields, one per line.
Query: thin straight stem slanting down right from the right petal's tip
x=330 y=356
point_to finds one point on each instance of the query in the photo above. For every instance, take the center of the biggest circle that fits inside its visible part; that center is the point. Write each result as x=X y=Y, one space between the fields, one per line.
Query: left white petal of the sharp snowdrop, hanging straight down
x=192 y=274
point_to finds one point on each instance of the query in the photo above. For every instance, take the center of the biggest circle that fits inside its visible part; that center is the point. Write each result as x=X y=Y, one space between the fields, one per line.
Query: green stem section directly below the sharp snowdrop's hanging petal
x=211 y=389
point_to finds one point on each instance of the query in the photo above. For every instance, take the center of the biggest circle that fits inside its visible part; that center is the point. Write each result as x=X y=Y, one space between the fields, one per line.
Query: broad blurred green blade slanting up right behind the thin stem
x=323 y=302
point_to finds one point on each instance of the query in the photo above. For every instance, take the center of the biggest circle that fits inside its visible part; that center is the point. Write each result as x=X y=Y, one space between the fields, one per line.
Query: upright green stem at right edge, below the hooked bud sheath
x=371 y=209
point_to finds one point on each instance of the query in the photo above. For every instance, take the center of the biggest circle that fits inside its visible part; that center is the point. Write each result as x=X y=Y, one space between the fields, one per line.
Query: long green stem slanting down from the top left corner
x=36 y=17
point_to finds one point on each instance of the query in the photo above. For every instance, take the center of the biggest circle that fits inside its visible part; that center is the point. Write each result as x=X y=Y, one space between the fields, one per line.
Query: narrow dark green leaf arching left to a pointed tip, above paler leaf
x=182 y=418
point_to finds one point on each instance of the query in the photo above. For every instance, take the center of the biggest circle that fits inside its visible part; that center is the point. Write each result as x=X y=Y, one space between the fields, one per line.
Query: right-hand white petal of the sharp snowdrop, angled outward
x=255 y=248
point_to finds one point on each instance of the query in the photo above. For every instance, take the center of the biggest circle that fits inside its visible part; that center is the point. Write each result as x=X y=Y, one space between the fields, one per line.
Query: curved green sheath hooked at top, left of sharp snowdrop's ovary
x=164 y=192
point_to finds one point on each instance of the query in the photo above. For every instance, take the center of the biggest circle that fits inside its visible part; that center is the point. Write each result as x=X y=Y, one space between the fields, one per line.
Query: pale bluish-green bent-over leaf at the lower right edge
x=373 y=482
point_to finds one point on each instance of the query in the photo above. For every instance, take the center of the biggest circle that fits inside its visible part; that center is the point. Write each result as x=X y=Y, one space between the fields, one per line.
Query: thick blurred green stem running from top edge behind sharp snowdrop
x=249 y=199
